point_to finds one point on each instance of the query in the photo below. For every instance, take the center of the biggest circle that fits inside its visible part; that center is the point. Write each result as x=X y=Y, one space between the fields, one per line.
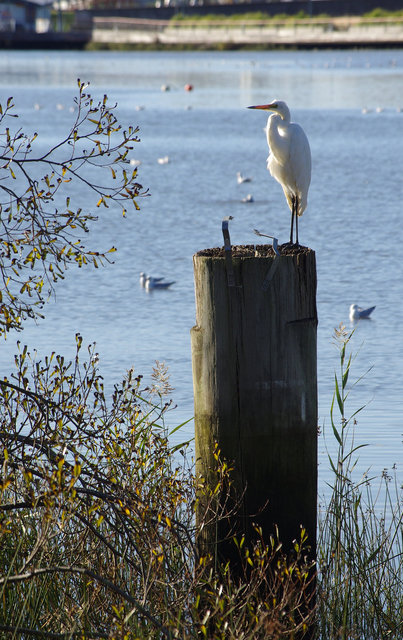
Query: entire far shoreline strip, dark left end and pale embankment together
x=120 y=32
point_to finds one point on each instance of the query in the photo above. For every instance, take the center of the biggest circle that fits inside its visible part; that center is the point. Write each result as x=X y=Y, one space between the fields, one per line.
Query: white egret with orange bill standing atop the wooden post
x=289 y=161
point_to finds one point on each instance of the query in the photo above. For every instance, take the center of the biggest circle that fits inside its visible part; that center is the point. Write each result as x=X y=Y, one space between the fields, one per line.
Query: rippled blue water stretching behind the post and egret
x=353 y=220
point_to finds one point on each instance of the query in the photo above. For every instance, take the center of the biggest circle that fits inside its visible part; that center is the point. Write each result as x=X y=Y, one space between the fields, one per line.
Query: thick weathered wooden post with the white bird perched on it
x=255 y=388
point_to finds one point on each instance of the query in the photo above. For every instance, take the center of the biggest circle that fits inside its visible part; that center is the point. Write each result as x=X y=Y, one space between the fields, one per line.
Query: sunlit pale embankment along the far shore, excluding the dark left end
x=335 y=32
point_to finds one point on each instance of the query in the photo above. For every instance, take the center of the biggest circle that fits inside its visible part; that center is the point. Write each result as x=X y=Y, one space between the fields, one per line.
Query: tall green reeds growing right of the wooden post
x=360 y=550
